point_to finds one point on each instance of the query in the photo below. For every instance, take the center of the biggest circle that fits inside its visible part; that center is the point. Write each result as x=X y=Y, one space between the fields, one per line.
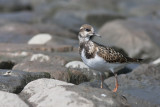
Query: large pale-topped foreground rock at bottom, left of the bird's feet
x=49 y=92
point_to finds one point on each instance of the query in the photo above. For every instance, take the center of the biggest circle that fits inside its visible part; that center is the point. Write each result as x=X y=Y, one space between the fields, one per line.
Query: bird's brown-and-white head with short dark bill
x=86 y=33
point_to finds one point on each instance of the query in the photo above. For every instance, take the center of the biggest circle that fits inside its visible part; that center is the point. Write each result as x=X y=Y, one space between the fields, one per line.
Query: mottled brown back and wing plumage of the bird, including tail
x=108 y=54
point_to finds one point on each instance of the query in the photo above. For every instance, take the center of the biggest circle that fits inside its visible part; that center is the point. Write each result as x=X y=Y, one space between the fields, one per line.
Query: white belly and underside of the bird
x=99 y=64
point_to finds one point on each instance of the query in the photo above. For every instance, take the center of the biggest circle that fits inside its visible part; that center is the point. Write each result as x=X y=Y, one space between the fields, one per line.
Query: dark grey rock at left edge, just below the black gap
x=14 y=80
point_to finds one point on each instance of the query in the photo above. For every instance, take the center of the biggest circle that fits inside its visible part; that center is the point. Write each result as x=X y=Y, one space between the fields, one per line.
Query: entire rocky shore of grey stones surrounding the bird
x=39 y=61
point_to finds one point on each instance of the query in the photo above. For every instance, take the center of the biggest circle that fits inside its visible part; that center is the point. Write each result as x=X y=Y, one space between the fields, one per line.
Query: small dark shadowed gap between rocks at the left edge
x=6 y=64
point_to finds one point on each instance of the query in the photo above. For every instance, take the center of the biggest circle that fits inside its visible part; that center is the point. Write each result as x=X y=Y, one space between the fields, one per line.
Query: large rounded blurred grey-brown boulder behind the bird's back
x=139 y=35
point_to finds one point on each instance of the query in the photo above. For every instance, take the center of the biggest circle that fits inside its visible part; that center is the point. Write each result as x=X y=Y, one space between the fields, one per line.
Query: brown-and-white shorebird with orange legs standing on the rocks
x=99 y=57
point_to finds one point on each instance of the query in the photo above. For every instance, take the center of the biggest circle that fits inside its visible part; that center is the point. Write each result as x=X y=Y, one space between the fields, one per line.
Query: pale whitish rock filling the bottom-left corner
x=11 y=100
